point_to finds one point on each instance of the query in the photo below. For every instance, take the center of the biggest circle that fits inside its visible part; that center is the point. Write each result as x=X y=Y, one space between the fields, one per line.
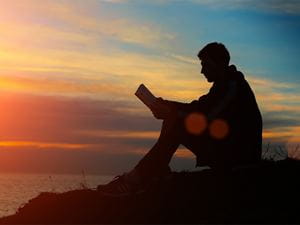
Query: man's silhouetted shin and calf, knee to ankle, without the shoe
x=156 y=161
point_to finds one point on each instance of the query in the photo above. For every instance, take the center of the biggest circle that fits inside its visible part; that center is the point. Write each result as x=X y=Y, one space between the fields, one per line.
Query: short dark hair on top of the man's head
x=216 y=51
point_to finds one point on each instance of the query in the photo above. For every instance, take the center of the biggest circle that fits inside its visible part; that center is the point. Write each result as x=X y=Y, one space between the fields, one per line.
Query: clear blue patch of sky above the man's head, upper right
x=269 y=37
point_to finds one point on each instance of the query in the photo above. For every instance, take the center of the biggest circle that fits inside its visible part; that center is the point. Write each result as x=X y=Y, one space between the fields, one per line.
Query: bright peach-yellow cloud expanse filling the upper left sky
x=68 y=53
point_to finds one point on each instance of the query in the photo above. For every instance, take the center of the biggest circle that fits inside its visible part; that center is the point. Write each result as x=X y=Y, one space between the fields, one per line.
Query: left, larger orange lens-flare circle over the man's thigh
x=195 y=123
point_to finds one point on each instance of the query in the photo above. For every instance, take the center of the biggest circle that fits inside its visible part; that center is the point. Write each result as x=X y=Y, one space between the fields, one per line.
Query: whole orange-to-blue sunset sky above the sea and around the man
x=69 y=70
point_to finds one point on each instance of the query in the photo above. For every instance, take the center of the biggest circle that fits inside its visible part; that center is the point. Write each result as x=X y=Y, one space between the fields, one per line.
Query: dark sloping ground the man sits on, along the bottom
x=267 y=194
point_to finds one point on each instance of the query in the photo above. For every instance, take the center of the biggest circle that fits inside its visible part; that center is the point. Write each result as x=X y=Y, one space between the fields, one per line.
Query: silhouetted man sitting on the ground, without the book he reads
x=222 y=128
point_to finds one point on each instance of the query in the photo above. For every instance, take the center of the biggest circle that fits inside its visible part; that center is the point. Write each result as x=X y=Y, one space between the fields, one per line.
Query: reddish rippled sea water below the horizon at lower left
x=17 y=189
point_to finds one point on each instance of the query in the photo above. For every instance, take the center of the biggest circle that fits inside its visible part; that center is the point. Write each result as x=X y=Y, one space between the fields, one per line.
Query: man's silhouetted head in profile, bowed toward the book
x=214 y=60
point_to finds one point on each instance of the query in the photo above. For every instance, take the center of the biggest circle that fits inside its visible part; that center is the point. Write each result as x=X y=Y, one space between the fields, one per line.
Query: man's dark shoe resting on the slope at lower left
x=123 y=185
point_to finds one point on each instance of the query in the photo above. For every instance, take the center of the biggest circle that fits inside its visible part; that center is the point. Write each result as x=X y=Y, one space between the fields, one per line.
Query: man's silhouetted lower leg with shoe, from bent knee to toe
x=154 y=164
